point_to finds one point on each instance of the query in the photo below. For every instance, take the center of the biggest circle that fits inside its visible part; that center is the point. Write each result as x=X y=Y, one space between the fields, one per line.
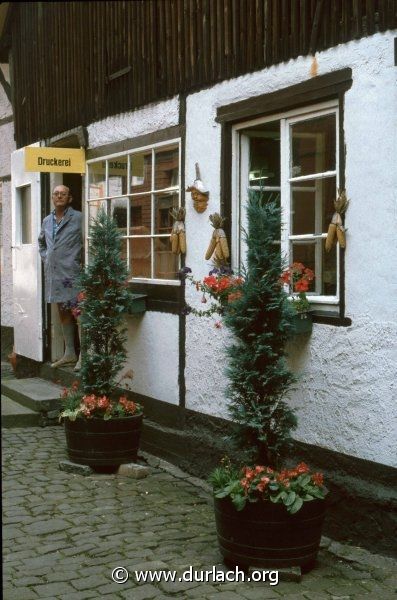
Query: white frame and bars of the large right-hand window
x=240 y=186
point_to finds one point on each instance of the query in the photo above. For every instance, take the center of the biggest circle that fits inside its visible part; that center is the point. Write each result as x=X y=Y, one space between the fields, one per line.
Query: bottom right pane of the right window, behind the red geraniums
x=313 y=255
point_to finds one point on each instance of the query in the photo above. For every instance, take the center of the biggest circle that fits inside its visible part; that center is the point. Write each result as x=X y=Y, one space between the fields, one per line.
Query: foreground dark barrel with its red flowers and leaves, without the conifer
x=268 y=518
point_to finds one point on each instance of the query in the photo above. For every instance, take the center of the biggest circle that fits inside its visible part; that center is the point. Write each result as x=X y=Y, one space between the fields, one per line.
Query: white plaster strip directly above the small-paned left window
x=134 y=123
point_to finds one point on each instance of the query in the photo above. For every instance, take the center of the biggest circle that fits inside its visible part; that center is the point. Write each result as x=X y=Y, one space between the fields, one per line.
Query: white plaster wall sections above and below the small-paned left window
x=153 y=339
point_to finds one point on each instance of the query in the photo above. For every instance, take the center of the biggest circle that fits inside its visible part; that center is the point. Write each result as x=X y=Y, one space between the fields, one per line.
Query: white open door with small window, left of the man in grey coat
x=26 y=262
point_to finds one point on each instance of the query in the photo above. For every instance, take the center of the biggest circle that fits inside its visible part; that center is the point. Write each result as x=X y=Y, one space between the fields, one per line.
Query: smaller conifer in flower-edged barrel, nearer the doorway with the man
x=102 y=428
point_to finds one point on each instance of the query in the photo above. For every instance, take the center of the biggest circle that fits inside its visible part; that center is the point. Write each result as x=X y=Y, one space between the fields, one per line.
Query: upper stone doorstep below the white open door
x=37 y=394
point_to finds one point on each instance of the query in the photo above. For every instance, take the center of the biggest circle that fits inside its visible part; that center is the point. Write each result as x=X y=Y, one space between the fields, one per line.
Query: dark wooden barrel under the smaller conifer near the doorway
x=103 y=444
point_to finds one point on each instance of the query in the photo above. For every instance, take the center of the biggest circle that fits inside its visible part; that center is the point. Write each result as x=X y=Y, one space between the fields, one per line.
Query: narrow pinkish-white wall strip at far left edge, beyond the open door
x=7 y=145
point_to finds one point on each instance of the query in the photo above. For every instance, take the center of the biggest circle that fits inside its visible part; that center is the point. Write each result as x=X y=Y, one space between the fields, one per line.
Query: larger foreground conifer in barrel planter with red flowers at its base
x=265 y=516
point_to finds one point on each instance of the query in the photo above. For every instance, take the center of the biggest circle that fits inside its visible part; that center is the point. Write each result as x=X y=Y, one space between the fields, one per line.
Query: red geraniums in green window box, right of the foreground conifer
x=297 y=278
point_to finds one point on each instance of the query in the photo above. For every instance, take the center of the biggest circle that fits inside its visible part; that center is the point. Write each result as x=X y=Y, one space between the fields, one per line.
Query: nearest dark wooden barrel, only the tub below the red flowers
x=265 y=535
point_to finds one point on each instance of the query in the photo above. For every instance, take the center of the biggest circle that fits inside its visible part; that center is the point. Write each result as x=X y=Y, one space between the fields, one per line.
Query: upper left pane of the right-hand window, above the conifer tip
x=264 y=154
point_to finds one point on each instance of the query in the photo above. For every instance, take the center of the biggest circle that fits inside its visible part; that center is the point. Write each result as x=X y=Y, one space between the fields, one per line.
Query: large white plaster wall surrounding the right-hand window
x=346 y=394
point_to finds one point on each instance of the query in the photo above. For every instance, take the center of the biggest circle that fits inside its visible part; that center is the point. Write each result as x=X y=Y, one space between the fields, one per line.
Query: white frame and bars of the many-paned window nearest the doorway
x=152 y=193
